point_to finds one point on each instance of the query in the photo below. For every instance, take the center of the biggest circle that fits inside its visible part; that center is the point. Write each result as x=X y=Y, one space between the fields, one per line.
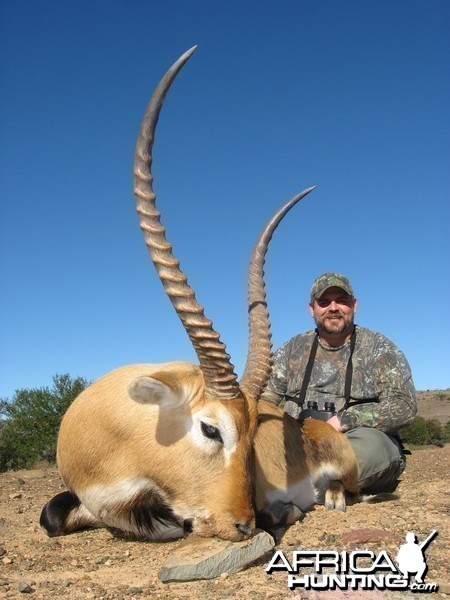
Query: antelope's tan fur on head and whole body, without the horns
x=116 y=450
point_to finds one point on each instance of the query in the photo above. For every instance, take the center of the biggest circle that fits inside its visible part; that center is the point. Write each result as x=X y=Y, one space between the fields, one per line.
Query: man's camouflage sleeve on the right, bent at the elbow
x=396 y=404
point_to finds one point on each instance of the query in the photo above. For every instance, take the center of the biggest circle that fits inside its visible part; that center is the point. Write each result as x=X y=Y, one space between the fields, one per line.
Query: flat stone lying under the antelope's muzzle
x=206 y=558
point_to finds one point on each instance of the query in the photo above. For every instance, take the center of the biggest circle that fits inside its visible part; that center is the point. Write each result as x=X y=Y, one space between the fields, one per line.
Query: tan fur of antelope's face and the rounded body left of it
x=106 y=437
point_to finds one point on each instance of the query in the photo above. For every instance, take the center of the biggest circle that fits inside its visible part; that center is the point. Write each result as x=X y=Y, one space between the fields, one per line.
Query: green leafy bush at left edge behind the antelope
x=30 y=430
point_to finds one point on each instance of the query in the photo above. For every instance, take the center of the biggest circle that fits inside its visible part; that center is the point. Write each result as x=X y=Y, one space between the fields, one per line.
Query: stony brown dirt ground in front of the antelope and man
x=94 y=564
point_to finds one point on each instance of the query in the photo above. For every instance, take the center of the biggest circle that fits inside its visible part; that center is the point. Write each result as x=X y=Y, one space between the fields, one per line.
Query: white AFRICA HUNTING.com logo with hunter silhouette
x=358 y=569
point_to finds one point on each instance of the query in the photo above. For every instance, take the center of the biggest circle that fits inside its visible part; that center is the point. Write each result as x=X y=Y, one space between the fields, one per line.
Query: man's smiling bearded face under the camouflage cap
x=334 y=311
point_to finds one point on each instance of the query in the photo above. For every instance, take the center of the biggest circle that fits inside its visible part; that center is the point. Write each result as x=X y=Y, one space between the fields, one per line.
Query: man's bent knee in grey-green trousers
x=380 y=459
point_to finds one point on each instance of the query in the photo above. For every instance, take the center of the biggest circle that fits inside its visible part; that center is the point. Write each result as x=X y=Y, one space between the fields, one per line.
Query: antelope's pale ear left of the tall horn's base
x=150 y=390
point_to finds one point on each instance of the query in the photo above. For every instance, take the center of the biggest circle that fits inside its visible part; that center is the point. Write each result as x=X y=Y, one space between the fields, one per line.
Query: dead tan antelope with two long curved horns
x=159 y=450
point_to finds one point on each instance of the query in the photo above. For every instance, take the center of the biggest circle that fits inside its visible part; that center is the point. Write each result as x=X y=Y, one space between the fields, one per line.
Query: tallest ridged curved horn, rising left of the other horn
x=218 y=372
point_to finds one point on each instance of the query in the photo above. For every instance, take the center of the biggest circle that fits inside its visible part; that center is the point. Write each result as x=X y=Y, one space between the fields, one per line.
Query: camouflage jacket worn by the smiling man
x=382 y=392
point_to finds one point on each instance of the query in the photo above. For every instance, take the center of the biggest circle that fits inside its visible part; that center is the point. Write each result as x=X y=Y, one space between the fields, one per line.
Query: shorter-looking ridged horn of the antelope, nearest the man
x=259 y=358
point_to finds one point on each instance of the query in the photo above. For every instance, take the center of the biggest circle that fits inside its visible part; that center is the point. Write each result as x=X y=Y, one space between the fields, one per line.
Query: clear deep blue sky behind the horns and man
x=349 y=96
